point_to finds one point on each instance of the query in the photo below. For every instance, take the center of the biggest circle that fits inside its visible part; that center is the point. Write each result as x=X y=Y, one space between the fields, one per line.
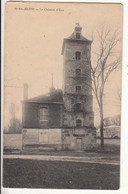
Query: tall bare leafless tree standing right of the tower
x=107 y=61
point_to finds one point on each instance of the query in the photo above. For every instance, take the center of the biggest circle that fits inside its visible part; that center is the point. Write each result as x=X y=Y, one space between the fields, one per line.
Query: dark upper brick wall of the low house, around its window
x=31 y=119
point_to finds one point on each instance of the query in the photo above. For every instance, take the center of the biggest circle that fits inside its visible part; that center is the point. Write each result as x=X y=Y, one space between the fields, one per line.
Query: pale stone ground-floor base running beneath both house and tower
x=59 y=139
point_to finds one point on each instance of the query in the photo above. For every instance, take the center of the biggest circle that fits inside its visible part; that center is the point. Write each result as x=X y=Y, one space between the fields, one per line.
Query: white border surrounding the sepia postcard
x=124 y=139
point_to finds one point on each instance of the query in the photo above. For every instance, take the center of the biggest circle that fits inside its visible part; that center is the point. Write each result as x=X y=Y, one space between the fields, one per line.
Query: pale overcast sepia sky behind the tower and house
x=33 y=43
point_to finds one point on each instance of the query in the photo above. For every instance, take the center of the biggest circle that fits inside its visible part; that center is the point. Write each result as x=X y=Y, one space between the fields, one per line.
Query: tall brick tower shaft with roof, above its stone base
x=77 y=92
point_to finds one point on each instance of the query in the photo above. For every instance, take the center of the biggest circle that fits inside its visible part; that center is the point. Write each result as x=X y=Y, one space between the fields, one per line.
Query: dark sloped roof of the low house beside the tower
x=55 y=97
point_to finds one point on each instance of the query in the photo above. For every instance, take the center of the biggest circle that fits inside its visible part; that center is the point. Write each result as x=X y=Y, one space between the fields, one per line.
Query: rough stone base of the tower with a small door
x=79 y=139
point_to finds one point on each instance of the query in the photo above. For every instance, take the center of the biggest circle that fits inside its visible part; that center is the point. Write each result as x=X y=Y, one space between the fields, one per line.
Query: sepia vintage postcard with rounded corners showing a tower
x=62 y=95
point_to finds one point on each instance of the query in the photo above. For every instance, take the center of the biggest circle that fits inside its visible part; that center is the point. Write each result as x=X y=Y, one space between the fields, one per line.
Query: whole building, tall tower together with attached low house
x=64 y=119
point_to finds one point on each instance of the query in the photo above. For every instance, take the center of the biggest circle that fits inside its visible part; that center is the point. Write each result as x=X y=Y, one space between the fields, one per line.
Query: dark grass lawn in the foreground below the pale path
x=18 y=173
